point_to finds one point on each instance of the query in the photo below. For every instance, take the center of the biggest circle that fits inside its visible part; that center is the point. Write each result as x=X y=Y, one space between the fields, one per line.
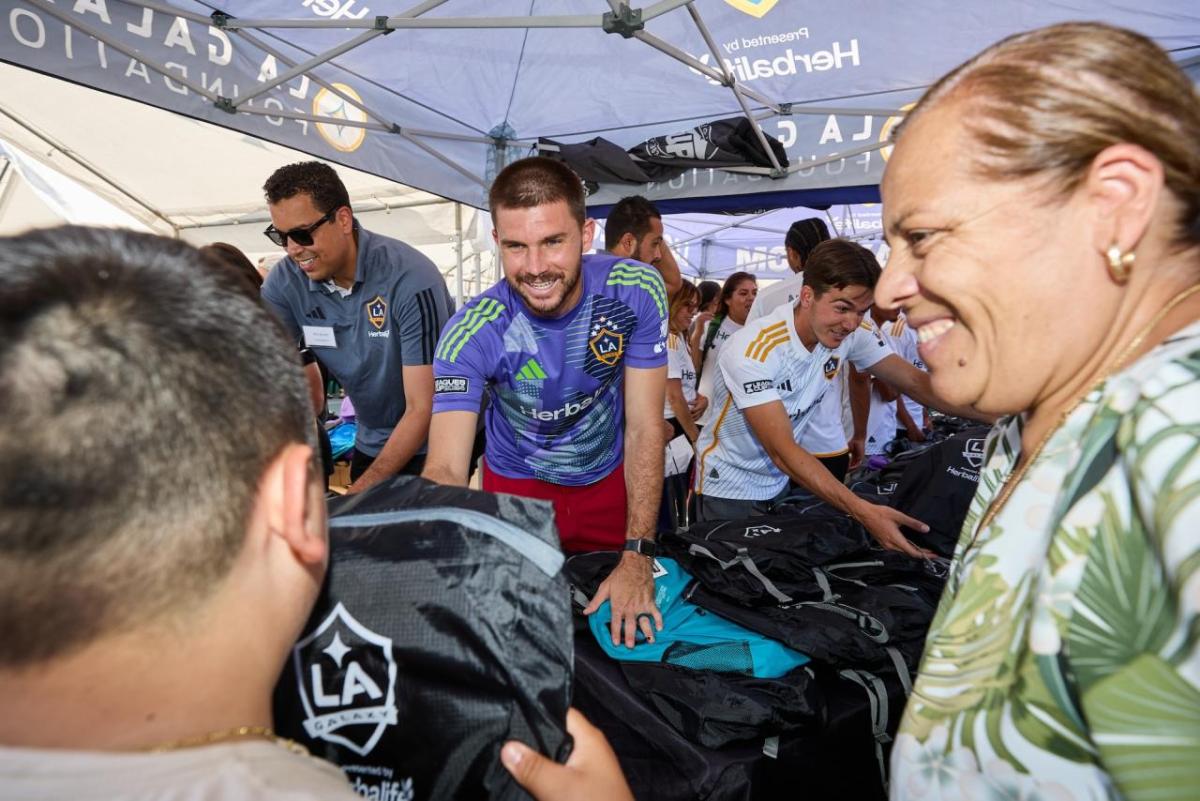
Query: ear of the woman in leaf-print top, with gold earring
x=1124 y=186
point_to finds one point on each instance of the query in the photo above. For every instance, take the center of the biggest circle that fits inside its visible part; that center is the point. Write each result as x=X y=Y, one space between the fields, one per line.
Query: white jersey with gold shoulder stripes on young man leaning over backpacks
x=766 y=363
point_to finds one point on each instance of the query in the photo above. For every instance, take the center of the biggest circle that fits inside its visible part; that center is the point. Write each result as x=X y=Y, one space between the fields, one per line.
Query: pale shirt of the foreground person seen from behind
x=249 y=770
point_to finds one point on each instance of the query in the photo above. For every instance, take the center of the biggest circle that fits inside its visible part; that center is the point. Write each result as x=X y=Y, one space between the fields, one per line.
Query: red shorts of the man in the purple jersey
x=590 y=519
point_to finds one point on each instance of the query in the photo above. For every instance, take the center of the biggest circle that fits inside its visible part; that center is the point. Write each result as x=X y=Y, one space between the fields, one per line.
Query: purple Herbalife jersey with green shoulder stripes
x=555 y=386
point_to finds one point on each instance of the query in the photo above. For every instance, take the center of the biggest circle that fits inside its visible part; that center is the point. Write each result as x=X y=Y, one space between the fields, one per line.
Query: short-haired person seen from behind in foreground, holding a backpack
x=163 y=534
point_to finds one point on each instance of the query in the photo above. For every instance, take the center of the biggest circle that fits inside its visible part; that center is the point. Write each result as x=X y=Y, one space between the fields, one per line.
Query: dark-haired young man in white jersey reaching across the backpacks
x=771 y=378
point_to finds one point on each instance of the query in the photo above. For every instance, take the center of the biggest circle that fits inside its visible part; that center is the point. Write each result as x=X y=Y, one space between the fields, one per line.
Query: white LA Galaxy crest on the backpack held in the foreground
x=347 y=679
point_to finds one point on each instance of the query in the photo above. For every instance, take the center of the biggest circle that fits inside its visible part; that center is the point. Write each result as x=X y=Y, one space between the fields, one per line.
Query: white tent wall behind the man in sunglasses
x=197 y=182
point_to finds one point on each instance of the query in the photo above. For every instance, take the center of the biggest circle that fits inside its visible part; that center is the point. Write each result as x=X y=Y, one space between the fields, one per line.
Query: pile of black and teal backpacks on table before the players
x=790 y=641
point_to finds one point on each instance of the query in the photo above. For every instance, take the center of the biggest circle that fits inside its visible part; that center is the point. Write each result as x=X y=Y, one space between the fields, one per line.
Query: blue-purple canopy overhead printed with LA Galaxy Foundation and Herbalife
x=440 y=94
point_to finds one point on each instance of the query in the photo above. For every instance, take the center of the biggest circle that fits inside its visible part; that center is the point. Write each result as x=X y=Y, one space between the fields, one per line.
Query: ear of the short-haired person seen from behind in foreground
x=296 y=507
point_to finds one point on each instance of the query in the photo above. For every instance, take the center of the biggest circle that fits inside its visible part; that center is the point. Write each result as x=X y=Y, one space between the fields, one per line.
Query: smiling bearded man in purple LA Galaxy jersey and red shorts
x=571 y=350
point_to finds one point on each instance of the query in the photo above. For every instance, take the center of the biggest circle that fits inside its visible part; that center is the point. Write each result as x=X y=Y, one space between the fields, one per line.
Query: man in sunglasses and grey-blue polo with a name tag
x=369 y=306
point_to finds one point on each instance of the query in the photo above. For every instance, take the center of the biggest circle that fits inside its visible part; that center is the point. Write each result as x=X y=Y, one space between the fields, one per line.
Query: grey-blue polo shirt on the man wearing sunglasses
x=392 y=318
